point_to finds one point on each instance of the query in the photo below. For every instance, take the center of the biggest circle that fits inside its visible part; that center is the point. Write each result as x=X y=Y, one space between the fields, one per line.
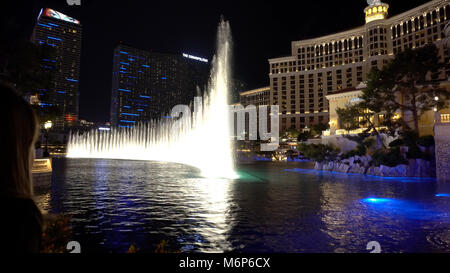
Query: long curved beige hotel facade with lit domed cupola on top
x=332 y=63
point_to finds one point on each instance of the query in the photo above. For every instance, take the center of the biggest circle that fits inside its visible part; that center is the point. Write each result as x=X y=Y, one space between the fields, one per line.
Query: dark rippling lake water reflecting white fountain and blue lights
x=273 y=207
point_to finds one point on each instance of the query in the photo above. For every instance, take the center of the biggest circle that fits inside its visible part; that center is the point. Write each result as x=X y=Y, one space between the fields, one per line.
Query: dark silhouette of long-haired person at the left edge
x=21 y=226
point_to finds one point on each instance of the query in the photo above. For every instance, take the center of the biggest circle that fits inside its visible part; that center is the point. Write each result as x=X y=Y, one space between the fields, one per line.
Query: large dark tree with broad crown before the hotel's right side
x=410 y=82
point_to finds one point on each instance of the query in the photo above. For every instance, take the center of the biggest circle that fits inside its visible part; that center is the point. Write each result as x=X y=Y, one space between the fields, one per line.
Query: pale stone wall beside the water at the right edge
x=442 y=140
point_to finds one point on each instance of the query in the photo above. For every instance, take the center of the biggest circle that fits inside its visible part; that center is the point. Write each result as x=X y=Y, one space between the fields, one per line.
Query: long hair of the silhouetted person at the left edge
x=20 y=130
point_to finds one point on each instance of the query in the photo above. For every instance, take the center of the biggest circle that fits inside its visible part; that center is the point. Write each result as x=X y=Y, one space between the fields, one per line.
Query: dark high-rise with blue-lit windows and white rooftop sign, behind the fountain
x=146 y=85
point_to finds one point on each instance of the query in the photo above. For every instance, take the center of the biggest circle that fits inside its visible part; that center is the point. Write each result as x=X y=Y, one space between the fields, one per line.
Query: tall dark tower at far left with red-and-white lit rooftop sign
x=64 y=34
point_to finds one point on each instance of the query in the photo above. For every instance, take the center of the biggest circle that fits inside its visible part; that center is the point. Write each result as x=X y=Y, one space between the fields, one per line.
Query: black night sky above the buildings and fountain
x=261 y=30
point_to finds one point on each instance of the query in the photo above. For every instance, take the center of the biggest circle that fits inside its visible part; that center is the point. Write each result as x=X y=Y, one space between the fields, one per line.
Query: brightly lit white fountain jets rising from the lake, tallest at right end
x=202 y=141
